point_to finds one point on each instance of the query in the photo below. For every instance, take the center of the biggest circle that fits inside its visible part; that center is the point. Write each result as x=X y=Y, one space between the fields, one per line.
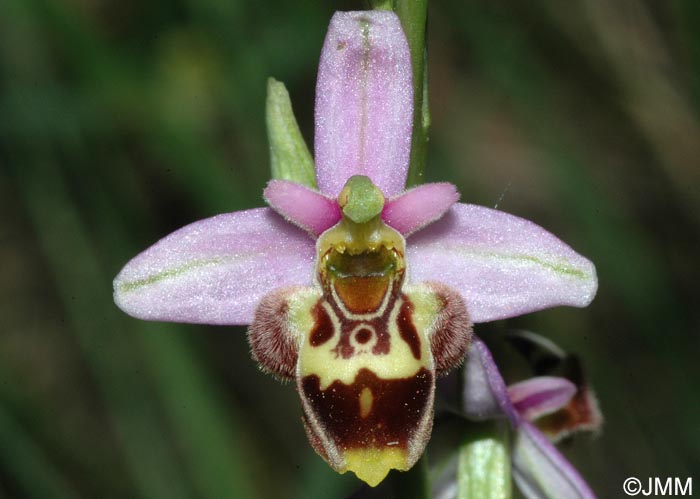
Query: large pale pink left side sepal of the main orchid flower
x=215 y=271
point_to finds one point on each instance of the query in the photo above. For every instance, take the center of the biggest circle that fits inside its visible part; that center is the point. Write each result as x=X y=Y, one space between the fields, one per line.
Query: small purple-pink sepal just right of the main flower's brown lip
x=485 y=395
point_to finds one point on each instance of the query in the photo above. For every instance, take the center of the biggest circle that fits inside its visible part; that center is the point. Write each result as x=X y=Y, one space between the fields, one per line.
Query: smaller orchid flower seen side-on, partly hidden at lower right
x=534 y=407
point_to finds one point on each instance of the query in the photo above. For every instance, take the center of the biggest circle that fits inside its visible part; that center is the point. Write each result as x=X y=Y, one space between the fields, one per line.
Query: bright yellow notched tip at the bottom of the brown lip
x=372 y=465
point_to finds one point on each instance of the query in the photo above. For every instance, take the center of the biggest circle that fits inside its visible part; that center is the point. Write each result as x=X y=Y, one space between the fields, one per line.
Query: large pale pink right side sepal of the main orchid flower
x=502 y=265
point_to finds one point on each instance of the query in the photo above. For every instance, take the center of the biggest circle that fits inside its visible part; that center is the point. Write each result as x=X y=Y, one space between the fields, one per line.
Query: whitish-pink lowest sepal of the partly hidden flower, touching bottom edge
x=541 y=472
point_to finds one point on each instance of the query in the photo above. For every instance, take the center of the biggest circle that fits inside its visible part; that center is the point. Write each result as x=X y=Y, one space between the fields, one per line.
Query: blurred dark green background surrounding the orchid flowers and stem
x=121 y=121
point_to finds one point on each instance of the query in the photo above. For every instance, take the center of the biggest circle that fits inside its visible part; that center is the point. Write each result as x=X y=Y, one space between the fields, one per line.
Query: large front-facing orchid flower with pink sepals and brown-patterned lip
x=359 y=291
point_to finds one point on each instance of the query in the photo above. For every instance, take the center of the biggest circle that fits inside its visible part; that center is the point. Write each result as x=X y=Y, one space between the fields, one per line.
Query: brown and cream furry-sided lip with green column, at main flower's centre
x=363 y=346
